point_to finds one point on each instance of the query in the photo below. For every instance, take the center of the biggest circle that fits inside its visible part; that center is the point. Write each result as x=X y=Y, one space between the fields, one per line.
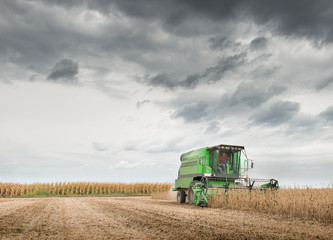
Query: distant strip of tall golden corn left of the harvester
x=80 y=189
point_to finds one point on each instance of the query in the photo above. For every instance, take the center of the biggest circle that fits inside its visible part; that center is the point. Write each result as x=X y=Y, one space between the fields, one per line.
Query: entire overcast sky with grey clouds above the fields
x=116 y=91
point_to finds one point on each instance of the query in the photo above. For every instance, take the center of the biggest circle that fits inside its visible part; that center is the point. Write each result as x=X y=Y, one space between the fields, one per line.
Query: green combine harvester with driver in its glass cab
x=205 y=171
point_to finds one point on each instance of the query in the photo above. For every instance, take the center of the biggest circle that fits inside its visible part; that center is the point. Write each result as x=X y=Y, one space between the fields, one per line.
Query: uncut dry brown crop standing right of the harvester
x=308 y=203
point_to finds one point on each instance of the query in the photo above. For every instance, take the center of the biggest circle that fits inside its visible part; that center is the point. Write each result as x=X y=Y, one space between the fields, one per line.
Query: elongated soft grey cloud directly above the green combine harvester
x=247 y=97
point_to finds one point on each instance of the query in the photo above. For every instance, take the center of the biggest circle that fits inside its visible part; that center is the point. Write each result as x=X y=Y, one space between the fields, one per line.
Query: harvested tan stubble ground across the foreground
x=142 y=218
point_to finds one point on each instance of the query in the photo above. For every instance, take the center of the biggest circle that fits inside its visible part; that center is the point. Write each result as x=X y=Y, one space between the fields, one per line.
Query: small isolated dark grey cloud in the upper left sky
x=65 y=69
